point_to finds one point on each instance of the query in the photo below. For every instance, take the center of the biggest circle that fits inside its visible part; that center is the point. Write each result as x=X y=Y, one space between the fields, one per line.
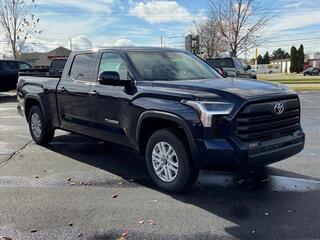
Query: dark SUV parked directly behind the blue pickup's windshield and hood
x=231 y=65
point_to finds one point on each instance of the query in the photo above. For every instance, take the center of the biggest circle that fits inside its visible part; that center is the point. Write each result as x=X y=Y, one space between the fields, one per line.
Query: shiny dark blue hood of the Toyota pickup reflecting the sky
x=223 y=87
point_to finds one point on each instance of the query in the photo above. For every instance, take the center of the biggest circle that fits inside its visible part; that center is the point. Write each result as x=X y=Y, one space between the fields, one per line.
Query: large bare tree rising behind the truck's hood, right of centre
x=243 y=18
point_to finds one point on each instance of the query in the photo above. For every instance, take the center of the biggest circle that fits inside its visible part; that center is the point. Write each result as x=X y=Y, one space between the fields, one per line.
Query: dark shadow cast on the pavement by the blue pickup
x=270 y=204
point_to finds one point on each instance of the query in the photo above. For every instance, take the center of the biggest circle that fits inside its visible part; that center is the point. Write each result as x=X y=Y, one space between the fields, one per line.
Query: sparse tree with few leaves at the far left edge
x=18 y=22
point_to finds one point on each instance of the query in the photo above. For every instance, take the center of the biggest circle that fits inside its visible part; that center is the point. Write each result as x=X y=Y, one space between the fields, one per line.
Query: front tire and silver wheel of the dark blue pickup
x=167 y=179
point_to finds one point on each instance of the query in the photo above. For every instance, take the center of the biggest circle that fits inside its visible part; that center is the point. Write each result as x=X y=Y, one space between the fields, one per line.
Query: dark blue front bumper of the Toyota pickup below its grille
x=232 y=153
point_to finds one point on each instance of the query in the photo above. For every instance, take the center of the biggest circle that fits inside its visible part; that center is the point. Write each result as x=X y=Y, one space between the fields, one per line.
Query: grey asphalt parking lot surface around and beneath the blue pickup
x=79 y=188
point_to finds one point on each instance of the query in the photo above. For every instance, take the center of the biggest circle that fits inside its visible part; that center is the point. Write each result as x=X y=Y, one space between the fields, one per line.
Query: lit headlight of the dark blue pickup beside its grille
x=208 y=109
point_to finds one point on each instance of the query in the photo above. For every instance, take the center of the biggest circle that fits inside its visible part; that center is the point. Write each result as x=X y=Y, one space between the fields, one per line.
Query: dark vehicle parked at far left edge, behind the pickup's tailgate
x=9 y=71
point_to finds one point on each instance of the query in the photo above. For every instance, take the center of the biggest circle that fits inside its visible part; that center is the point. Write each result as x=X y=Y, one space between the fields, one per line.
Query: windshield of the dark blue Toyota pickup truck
x=170 y=66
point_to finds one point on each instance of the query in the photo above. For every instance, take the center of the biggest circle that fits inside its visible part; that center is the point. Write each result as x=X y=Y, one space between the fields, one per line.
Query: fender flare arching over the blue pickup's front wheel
x=171 y=117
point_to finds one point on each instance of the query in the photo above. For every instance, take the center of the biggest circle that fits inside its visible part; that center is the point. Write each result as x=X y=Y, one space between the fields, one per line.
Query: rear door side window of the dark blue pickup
x=82 y=66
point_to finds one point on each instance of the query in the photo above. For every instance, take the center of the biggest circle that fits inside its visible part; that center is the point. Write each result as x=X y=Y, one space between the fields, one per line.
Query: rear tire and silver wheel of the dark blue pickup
x=39 y=127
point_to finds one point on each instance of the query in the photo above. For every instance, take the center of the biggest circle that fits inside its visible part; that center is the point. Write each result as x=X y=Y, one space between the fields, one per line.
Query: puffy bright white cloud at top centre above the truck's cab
x=160 y=12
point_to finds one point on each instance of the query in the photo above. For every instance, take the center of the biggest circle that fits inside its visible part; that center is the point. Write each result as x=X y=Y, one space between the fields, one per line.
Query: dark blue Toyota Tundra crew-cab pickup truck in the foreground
x=169 y=105
